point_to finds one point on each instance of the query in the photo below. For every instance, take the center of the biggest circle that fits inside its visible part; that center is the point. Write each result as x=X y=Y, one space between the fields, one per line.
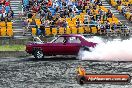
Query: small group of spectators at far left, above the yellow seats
x=6 y=13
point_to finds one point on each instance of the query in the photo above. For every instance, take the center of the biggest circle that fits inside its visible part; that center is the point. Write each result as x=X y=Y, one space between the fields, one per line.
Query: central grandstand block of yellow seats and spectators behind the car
x=90 y=15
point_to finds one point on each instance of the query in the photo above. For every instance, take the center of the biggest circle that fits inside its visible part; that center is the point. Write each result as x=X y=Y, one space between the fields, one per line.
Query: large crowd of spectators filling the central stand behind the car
x=51 y=13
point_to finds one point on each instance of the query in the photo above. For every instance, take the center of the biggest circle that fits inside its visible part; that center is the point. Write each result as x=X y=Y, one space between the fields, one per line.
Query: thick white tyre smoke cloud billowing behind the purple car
x=109 y=51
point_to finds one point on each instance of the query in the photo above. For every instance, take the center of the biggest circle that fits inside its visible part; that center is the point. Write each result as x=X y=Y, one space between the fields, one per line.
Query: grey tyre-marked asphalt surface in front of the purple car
x=56 y=72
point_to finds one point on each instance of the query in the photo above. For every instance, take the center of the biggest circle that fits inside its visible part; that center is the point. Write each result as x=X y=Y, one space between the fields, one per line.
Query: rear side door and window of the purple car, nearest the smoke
x=72 y=46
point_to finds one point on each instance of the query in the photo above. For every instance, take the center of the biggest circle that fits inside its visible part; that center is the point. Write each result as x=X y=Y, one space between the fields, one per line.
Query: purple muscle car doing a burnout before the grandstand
x=62 y=45
